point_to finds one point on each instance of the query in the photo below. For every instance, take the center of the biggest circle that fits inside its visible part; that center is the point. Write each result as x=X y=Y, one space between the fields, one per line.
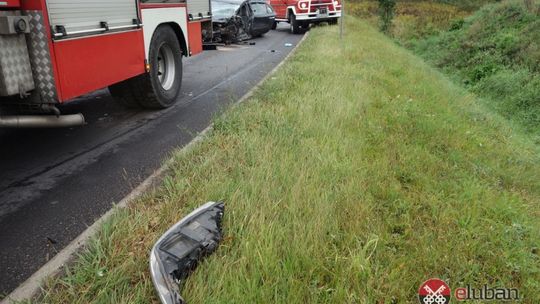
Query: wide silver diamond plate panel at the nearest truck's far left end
x=15 y=71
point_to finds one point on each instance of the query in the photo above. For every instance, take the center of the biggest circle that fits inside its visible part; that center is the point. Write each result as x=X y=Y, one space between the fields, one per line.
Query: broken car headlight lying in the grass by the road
x=178 y=252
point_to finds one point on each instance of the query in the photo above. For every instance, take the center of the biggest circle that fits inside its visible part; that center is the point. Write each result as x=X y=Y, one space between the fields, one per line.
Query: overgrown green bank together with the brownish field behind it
x=494 y=52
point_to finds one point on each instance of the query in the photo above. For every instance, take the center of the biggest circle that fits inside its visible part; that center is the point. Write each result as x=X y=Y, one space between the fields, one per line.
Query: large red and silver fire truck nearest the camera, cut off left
x=52 y=51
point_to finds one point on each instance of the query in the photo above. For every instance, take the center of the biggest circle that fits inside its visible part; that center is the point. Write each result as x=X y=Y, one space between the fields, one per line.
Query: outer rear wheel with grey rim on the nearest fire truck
x=161 y=86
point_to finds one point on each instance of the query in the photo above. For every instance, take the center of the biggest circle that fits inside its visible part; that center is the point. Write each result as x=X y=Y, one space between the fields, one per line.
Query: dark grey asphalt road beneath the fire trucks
x=54 y=183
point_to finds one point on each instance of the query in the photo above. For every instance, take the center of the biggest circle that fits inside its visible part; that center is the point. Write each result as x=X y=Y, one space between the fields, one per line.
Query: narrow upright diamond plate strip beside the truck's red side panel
x=40 y=57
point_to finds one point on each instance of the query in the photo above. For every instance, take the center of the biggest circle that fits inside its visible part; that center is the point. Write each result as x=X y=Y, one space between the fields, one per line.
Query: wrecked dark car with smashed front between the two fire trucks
x=238 y=20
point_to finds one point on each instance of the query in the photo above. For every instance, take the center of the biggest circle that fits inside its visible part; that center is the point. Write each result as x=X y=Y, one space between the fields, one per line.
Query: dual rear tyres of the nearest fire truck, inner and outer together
x=159 y=88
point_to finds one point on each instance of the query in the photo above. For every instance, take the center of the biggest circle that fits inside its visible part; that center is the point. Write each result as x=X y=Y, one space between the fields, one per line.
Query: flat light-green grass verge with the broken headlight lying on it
x=351 y=176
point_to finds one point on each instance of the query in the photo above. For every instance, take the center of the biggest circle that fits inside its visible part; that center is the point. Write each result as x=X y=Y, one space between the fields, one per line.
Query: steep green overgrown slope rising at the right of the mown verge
x=496 y=54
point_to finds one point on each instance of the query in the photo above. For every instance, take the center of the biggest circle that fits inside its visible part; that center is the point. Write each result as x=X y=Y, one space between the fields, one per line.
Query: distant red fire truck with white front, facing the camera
x=301 y=13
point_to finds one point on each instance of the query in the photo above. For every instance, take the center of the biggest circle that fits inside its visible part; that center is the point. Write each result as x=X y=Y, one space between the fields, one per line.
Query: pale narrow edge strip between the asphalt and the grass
x=32 y=286
